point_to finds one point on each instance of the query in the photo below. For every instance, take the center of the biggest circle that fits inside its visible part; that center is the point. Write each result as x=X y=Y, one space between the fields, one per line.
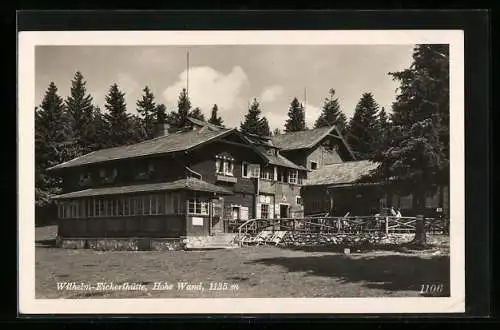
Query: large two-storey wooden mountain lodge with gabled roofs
x=199 y=181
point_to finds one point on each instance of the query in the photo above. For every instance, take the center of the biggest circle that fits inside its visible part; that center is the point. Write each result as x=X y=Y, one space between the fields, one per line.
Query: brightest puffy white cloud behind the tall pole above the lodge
x=208 y=86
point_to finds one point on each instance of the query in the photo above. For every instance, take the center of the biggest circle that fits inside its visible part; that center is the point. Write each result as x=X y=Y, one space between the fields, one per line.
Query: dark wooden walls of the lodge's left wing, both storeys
x=173 y=213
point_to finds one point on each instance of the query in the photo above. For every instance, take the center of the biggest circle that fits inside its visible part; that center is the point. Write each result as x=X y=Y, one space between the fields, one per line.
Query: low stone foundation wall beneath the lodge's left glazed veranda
x=125 y=244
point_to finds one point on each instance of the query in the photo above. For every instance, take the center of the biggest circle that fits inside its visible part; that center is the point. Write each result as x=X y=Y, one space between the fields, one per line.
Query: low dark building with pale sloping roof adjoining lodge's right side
x=341 y=188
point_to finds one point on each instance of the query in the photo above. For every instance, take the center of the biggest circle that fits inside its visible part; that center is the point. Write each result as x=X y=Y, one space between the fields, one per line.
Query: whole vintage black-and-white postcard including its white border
x=241 y=172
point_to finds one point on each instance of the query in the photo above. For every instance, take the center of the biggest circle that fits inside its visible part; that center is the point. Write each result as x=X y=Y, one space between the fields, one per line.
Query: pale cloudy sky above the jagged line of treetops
x=230 y=76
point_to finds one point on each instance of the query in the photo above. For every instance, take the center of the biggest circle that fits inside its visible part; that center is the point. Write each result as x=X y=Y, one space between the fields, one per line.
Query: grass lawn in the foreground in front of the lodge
x=259 y=272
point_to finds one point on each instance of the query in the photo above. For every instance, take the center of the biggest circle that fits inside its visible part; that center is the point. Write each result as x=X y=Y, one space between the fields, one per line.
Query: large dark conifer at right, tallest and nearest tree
x=417 y=155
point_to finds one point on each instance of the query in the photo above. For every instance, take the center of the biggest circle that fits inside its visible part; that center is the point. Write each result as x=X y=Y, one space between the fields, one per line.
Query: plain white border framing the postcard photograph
x=26 y=103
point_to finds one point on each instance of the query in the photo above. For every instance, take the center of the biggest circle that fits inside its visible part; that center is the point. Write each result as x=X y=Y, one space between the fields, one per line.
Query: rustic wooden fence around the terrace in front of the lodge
x=341 y=225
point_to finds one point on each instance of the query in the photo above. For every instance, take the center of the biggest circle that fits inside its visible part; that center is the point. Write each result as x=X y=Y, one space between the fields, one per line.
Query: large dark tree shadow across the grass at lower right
x=387 y=272
